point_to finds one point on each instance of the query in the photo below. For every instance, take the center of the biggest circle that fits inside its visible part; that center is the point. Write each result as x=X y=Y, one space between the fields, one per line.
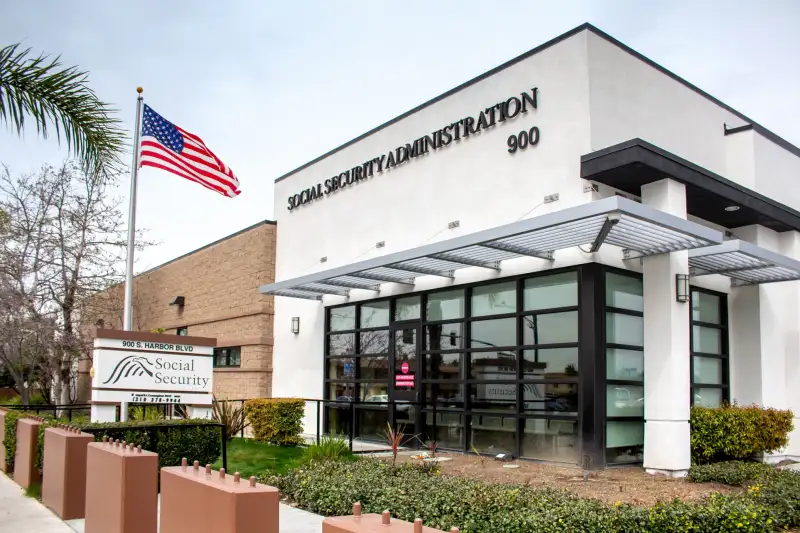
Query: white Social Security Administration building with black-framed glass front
x=555 y=259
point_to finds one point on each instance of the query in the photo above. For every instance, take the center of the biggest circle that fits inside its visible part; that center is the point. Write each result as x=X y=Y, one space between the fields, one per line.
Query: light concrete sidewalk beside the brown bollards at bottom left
x=20 y=514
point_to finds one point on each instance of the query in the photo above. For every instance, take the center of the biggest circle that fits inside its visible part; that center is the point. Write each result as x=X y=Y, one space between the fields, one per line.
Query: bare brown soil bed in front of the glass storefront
x=630 y=485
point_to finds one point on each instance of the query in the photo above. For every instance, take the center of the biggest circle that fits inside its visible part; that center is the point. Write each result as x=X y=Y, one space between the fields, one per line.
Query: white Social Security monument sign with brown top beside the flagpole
x=138 y=367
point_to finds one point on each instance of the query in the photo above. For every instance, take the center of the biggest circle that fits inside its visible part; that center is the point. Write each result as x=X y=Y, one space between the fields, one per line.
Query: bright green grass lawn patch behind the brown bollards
x=251 y=458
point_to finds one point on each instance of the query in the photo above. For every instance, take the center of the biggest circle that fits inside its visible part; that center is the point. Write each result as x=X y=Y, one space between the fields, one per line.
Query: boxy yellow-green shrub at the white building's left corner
x=276 y=420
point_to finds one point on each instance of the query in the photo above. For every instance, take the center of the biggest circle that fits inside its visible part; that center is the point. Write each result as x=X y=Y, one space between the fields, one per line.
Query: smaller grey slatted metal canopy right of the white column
x=744 y=262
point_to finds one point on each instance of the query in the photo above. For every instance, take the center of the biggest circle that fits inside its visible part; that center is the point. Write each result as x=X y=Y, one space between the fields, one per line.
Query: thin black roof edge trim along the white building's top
x=780 y=141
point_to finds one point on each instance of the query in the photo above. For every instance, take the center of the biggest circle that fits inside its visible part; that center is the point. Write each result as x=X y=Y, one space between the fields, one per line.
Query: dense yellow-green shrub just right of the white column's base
x=737 y=432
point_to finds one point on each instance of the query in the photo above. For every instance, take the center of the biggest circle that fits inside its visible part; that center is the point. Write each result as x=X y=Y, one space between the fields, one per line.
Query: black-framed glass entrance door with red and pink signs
x=404 y=381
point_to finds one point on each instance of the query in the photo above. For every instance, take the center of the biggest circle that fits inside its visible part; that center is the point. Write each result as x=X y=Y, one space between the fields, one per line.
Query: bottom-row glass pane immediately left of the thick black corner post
x=550 y=440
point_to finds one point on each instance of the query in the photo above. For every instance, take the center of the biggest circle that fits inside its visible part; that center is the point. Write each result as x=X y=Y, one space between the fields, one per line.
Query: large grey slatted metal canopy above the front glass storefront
x=617 y=221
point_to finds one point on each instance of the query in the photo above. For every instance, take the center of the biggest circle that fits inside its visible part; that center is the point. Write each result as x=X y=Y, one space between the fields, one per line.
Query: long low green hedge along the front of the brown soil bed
x=411 y=491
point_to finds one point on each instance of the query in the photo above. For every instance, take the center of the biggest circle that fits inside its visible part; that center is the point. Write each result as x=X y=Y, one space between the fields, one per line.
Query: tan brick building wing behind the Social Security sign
x=212 y=292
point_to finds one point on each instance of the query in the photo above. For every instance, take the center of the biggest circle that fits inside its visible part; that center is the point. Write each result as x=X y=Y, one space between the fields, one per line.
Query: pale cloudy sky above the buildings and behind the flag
x=271 y=85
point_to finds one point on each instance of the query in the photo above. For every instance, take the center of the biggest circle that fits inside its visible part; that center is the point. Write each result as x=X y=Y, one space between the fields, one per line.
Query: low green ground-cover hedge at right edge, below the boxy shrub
x=777 y=491
